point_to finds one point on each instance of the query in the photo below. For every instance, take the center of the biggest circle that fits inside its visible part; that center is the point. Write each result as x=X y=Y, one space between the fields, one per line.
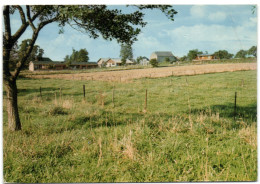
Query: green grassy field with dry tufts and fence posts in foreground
x=186 y=133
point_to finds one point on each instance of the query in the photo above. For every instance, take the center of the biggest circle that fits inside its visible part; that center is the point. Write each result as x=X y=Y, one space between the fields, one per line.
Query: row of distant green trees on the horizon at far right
x=221 y=54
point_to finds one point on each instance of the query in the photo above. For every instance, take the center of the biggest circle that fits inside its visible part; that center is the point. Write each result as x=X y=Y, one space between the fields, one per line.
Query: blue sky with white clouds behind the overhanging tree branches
x=203 y=27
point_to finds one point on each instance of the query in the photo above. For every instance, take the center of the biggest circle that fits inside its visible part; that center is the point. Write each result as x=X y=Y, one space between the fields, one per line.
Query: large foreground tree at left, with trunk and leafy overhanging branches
x=94 y=20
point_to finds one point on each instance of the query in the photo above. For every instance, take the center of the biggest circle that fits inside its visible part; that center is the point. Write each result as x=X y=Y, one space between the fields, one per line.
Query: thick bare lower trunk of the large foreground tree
x=14 y=123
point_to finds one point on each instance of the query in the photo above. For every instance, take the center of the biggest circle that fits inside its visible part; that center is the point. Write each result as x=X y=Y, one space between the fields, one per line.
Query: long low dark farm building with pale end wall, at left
x=51 y=65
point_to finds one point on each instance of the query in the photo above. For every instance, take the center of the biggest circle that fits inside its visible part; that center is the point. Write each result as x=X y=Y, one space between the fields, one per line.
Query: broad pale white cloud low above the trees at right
x=212 y=38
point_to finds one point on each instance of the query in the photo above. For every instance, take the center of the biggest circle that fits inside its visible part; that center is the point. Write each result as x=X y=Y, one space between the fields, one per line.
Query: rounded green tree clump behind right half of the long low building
x=77 y=56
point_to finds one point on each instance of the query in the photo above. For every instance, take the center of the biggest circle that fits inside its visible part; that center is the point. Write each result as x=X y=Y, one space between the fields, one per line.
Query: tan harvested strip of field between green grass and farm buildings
x=128 y=75
